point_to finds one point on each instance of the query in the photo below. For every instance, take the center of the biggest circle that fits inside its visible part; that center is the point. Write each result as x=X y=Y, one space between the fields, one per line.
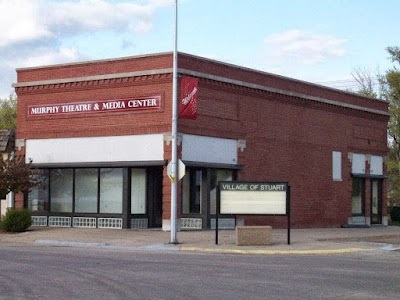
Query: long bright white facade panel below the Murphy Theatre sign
x=96 y=149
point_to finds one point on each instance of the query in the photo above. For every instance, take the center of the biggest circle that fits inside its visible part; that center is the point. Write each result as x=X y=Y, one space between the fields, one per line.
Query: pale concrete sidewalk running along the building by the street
x=303 y=241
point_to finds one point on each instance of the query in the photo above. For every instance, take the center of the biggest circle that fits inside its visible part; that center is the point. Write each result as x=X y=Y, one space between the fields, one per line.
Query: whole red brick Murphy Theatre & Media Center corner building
x=100 y=133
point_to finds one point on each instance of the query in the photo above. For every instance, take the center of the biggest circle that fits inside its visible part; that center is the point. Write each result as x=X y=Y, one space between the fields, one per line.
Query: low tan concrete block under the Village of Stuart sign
x=253 y=235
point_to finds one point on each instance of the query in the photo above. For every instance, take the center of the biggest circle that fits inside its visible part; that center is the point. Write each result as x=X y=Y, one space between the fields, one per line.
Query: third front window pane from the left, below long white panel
x=86 y=188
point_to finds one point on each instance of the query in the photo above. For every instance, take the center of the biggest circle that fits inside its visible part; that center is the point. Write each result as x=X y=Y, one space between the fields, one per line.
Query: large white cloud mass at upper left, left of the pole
x=34 y=30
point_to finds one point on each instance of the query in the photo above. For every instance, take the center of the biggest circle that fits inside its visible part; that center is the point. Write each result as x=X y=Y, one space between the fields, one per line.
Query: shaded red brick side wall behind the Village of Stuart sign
x=290 y=139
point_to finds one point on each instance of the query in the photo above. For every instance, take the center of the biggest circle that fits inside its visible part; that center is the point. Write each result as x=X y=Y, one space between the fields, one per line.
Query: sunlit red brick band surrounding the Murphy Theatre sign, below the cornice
x=95 y=124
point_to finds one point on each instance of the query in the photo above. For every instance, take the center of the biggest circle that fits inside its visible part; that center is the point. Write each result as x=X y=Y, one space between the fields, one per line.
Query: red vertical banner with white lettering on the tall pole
x=188 y=99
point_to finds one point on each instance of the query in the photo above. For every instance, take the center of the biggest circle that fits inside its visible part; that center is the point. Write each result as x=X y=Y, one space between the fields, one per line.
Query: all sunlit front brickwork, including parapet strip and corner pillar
x=98 y=124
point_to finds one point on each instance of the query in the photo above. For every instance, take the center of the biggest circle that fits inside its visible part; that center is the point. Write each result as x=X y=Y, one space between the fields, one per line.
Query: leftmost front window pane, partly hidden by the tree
x=38 y=196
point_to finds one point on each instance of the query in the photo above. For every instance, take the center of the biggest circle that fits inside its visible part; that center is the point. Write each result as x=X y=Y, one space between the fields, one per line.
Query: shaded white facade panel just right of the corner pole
x=209 y=149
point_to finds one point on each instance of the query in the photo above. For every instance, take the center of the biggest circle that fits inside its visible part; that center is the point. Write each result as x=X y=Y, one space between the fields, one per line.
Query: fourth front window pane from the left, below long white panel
x=111 y=190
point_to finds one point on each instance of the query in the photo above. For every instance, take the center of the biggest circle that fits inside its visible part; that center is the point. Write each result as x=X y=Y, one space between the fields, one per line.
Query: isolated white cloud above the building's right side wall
x=303 y=47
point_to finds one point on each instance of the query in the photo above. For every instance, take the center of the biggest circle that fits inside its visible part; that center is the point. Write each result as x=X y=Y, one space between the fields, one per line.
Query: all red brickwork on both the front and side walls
x=287 y=138
